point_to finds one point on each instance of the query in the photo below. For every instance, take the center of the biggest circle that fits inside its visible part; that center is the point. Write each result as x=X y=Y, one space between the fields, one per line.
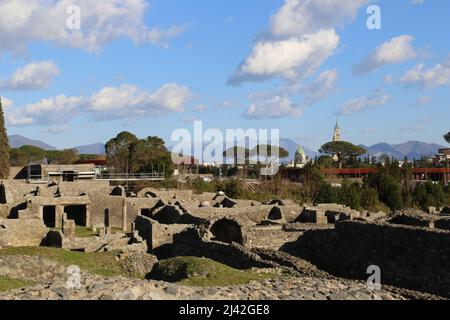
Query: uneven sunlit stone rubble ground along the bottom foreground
x=285 y=288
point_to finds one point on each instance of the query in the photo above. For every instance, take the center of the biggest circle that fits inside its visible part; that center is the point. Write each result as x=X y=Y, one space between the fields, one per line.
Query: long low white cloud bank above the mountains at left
x=123 y=102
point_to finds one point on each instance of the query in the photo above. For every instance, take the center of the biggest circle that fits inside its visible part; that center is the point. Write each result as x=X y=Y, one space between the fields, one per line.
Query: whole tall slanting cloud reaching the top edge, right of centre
x=301 y=37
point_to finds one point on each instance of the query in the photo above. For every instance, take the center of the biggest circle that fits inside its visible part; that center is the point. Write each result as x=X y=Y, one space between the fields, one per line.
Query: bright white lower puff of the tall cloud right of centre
x=288 y=58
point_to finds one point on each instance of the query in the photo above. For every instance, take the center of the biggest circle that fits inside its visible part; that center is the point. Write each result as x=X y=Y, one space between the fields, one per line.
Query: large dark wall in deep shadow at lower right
x=409 y=257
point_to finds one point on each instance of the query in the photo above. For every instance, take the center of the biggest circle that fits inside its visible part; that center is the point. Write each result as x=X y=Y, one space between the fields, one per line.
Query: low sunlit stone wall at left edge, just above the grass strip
x=21 y=233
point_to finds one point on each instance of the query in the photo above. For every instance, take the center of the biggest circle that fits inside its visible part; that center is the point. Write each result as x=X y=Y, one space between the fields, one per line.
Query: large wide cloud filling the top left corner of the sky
x=25 y=21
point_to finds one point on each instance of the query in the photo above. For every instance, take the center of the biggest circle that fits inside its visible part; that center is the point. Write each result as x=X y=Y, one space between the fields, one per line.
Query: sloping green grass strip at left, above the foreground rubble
x=101 y=263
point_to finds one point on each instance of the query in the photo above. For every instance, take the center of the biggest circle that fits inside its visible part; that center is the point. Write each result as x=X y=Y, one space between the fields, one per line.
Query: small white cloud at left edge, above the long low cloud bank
x=33 y=76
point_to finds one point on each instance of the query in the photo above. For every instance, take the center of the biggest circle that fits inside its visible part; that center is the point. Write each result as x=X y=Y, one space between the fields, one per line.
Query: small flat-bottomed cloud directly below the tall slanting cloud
x=273 y=108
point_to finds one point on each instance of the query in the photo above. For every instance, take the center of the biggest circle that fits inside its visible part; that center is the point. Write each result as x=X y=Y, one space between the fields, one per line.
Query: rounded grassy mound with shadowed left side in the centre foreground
x=202 y=272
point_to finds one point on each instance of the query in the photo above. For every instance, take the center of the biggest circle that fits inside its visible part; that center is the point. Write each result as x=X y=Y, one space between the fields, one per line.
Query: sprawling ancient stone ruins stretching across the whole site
x=323 y=241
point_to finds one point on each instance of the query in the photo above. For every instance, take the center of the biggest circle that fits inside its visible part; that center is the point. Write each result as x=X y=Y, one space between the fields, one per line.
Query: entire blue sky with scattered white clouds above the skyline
x=151 y=67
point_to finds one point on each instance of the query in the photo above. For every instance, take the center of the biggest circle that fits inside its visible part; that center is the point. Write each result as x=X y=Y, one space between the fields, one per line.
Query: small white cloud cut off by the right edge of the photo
x=437 y=76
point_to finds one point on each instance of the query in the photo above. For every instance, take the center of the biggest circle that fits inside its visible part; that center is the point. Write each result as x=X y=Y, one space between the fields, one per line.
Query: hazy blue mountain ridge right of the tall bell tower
x=410 y=149
